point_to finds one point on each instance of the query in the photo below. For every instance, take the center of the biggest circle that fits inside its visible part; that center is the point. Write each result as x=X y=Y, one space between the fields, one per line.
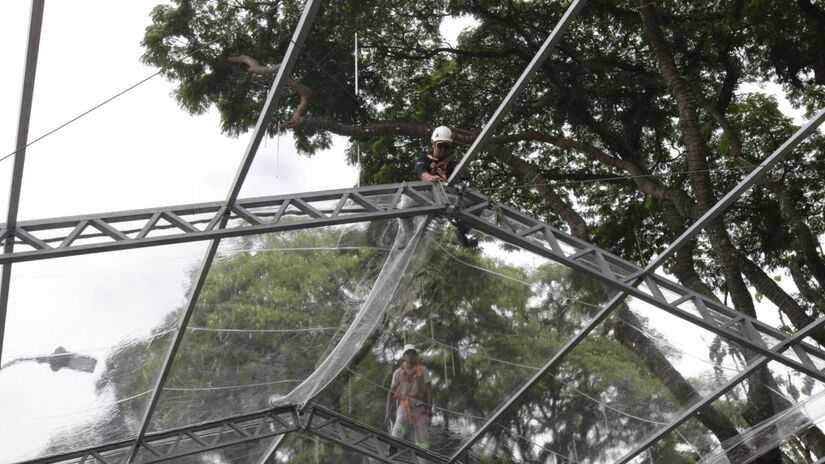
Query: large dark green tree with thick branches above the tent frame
x=643 y=117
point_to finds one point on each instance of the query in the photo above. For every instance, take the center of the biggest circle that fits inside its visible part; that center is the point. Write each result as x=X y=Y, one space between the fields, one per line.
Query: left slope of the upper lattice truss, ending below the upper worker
x=78 y=235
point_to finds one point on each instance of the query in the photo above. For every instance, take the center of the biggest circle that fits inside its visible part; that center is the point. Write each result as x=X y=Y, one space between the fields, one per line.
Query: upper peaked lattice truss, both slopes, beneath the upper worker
x=302 y=211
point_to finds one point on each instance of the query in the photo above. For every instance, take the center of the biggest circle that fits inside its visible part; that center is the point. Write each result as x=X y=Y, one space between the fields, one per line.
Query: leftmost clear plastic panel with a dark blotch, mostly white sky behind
x=82 y=340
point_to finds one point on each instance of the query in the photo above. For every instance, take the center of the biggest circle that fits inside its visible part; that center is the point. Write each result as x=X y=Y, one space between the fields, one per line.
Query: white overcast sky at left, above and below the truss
x=138 y=151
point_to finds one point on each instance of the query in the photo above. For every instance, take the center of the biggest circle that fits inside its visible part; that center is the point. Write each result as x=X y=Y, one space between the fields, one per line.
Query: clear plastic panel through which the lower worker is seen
x=527 y=305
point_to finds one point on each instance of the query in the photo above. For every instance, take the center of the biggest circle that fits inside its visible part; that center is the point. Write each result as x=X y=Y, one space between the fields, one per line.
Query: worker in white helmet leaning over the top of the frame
x=438 y=167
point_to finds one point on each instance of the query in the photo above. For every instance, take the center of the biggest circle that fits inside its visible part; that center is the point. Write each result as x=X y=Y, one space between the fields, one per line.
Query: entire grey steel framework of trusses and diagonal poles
x=234 y=217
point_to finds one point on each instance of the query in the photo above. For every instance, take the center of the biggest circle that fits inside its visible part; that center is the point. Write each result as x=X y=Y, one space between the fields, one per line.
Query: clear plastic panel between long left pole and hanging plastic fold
x=273 y=309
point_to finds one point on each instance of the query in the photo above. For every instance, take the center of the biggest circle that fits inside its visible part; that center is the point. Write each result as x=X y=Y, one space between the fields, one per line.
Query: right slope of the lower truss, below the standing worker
x=369 y=441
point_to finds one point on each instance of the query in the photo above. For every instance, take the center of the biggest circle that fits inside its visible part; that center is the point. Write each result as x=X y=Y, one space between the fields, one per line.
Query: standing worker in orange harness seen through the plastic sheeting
x=412 y=391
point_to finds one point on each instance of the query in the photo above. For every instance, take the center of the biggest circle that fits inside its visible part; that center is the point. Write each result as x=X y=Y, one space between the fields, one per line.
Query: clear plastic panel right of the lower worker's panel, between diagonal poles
x=598 y=401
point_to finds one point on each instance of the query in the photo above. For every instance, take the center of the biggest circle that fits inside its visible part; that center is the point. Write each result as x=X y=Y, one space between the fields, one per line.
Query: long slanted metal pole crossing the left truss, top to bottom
x=264 y=119
